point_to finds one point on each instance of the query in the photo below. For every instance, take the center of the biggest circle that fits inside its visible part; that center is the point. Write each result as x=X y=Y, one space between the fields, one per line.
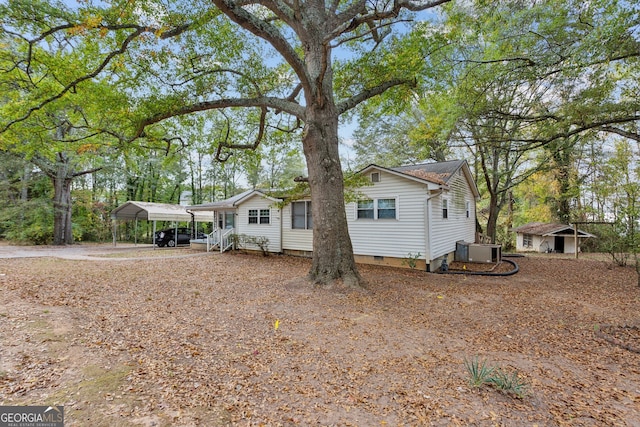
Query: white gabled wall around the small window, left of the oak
x=270 y=231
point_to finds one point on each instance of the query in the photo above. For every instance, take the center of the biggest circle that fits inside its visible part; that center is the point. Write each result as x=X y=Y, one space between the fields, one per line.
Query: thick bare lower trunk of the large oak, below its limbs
x=332 y=250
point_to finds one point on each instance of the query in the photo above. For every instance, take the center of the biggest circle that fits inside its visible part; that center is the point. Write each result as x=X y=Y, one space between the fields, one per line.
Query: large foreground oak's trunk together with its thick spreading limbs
x=304 y=34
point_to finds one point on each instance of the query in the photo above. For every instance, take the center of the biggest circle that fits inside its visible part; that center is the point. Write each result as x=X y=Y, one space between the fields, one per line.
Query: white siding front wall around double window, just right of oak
x=391 y=237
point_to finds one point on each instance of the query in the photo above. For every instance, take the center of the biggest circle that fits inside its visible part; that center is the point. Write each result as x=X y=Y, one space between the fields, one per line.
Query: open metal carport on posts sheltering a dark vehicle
x=148 y=211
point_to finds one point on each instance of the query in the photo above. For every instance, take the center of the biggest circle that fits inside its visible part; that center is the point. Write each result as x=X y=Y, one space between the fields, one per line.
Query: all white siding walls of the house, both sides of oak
x=413 y=231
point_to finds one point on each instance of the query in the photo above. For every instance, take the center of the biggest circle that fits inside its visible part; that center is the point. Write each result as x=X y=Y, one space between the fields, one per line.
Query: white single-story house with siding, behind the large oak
x=414 y=212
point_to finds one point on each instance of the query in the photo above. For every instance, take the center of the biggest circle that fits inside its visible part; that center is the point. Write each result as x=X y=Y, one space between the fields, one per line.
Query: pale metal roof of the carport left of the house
x=157 y=212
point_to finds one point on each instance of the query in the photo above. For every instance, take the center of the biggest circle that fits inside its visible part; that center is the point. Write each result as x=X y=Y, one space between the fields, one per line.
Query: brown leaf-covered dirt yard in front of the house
x=180 y=339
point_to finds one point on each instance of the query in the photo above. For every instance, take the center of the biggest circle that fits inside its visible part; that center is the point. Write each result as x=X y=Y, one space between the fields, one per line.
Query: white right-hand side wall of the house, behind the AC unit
x=446 y=232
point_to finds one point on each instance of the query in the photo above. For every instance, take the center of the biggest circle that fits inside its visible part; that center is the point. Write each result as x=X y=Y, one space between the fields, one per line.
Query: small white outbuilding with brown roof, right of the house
x=548 y=237
